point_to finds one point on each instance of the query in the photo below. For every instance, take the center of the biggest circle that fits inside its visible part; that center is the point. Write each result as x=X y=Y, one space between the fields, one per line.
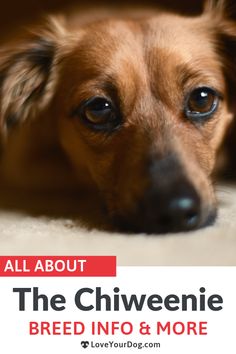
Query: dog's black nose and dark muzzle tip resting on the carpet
x=175 y=209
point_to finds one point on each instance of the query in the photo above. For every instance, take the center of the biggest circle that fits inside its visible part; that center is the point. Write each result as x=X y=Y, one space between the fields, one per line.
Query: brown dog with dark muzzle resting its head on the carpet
x=134 y=106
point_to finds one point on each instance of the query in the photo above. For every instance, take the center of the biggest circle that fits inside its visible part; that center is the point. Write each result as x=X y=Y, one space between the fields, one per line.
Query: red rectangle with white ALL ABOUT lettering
x=56 y=266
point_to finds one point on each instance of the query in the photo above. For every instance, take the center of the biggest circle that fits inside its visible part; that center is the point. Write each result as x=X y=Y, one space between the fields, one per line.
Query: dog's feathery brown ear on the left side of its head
x=28 y=73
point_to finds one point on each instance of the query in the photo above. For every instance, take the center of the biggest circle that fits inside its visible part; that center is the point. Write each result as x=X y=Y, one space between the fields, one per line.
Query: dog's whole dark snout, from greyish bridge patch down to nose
x=170 y=202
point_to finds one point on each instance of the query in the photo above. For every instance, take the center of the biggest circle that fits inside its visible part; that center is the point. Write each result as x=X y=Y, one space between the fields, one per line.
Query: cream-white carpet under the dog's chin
x=24 y=233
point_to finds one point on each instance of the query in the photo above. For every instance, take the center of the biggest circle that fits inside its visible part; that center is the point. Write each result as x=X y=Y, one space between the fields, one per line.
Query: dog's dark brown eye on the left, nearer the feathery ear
x=99 y=113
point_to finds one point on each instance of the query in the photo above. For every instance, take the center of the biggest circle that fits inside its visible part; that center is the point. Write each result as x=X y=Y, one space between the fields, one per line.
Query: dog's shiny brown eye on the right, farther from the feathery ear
x=201 y=103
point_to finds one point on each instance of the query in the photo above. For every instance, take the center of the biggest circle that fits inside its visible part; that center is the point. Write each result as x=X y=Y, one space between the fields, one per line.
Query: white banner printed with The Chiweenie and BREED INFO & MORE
x=144 y=309
